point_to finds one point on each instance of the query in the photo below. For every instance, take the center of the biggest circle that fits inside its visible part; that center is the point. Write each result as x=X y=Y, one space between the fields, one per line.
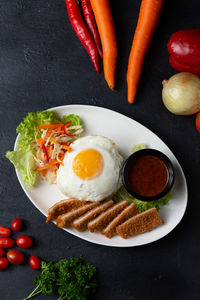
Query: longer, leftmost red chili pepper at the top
x=82 y=32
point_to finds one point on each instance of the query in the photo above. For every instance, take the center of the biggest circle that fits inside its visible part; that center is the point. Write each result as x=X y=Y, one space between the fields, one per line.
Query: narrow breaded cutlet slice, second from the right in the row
x=126 y=214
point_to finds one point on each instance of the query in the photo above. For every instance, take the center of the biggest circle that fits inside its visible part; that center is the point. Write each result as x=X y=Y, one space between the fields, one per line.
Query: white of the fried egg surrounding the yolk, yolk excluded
x=100 y=187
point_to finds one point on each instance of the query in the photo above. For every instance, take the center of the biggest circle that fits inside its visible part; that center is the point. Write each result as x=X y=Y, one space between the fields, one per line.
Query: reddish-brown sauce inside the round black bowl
x=148 y=175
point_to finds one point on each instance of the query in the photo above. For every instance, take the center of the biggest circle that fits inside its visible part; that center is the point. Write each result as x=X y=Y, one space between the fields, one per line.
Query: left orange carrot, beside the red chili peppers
x=103 y=17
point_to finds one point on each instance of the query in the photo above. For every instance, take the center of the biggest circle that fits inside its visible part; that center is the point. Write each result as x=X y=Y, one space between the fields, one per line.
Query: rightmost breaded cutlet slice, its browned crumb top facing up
x=140 y=223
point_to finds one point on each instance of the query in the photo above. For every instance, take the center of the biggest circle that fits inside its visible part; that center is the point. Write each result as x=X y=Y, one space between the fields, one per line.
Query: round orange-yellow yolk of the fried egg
x=88 y=164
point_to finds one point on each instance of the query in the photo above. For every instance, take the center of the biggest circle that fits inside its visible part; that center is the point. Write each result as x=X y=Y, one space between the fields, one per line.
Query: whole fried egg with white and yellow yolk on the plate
x=91 y=171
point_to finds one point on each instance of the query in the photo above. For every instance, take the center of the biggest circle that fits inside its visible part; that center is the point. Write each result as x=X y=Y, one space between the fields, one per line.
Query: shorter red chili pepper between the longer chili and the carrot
x=89 y=19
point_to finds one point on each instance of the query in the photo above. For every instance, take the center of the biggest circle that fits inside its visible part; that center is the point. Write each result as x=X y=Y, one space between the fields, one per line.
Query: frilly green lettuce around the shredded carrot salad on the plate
x=23 y=157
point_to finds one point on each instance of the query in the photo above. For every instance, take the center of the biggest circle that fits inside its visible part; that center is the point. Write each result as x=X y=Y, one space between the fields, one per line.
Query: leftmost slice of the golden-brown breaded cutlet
x=62 y=207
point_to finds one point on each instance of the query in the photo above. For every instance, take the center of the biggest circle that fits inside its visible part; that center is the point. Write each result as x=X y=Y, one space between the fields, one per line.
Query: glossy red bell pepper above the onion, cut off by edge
x=184 y=49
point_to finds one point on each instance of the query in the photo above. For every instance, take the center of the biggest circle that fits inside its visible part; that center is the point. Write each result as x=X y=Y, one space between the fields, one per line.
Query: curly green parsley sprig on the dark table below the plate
x=72 y=279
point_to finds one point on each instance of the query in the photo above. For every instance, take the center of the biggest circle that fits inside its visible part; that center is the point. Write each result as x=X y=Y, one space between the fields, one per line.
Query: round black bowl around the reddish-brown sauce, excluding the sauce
x=155 y=153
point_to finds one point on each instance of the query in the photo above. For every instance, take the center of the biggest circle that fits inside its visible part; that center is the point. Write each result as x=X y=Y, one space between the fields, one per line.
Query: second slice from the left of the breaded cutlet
x=65 y=220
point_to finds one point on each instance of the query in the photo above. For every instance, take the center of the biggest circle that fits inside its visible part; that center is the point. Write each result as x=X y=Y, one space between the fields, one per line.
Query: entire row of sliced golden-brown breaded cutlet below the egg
x=106 y=217
